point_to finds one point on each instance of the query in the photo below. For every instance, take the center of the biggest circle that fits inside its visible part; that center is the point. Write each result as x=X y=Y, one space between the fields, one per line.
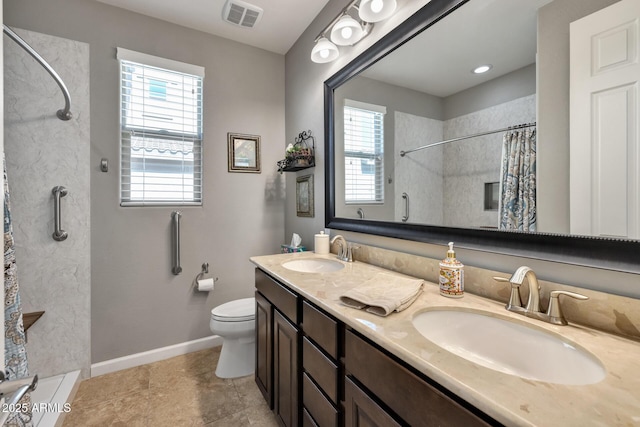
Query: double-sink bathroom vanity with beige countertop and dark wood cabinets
x=321 y=363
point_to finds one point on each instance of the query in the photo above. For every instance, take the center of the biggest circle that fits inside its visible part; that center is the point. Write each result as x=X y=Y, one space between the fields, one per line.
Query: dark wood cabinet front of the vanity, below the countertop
x=315 y=371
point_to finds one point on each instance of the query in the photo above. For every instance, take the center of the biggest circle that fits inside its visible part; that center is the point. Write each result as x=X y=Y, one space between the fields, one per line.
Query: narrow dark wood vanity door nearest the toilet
x=264 y=341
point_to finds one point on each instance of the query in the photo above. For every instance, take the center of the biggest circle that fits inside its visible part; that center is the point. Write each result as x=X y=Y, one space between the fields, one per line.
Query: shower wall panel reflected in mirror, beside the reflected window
x=419 y=174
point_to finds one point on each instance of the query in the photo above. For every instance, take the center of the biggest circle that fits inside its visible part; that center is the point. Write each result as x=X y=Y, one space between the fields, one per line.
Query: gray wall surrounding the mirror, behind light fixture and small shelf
x=304 y=109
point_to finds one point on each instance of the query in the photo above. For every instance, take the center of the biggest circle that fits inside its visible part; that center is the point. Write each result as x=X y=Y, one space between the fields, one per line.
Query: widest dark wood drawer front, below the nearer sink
x=414 y=399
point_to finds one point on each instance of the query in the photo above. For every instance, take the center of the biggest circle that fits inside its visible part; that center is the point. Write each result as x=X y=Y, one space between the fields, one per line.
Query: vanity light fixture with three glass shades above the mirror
x=347 y=28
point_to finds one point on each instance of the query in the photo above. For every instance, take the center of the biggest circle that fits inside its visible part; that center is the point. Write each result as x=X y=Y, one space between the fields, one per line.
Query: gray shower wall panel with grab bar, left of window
x=43 y=152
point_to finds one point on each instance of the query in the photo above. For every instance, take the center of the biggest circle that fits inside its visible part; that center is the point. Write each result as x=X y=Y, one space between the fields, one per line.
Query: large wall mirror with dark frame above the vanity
x=421 y=147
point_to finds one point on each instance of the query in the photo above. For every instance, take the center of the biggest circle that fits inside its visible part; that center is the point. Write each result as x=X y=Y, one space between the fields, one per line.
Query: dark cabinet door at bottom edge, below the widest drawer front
x=361 y=411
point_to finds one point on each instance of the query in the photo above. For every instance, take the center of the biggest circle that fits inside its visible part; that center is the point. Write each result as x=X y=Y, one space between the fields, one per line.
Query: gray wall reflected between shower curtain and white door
x=553 y=106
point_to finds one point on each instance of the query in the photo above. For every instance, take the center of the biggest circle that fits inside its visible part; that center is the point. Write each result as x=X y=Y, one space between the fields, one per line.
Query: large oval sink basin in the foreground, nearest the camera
x=509 y=347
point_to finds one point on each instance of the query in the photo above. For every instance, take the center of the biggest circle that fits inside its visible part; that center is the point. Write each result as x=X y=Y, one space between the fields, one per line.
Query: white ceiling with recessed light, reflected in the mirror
x=439 y=61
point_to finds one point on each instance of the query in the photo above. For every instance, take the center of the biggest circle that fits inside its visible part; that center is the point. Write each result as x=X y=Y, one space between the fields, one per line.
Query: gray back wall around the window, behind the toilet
x=136 y=303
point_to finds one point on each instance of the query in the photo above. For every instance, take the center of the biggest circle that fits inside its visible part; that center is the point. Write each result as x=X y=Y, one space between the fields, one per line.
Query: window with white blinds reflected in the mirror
x=363 y=153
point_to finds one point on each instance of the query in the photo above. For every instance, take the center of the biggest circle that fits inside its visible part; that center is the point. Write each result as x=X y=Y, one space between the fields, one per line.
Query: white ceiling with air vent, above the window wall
x=282 y=23
